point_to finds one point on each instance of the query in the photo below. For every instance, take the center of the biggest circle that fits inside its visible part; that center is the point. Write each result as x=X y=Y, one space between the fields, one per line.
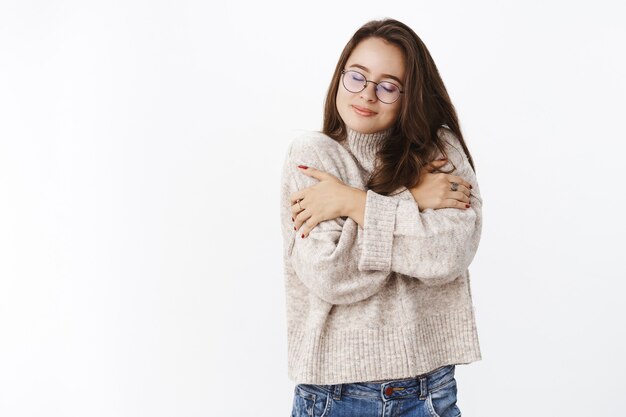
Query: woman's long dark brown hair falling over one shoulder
x=425 y=108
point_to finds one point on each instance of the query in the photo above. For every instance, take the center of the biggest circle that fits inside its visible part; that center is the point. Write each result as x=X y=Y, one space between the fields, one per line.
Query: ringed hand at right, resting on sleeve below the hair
x=433 y=189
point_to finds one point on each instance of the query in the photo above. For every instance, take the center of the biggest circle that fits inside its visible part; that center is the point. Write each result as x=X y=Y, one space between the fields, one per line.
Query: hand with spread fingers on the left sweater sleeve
x=323 y=201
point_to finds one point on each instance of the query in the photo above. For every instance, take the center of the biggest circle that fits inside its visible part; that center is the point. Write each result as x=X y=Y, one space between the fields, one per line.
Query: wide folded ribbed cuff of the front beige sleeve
x=377 y=242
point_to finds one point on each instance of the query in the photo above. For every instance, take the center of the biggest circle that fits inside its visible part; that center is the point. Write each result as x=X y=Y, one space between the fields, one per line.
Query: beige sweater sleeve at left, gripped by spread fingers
x=326 y=261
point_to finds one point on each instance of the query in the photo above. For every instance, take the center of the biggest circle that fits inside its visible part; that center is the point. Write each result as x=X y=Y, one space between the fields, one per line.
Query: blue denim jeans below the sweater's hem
x=429 y=395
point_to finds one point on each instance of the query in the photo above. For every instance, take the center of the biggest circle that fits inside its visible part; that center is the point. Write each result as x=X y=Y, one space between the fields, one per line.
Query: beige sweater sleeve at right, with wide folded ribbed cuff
x=434 y=246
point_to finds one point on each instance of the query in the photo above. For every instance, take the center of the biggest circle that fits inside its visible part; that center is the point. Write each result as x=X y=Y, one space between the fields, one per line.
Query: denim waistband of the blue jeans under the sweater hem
x=419 y=385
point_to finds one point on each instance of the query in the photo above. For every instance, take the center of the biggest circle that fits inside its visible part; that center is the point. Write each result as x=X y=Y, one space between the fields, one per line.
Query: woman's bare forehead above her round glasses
x=379 y=57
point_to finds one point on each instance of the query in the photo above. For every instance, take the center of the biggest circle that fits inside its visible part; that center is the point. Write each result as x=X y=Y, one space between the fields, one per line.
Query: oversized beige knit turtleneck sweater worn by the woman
x=388 y=300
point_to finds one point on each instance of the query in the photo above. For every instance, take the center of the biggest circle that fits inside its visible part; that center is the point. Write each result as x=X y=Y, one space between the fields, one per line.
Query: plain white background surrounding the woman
x=140 y=152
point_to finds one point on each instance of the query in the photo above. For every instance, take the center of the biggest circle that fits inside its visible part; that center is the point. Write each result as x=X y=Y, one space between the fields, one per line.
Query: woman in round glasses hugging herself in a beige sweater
x=378 y=236
